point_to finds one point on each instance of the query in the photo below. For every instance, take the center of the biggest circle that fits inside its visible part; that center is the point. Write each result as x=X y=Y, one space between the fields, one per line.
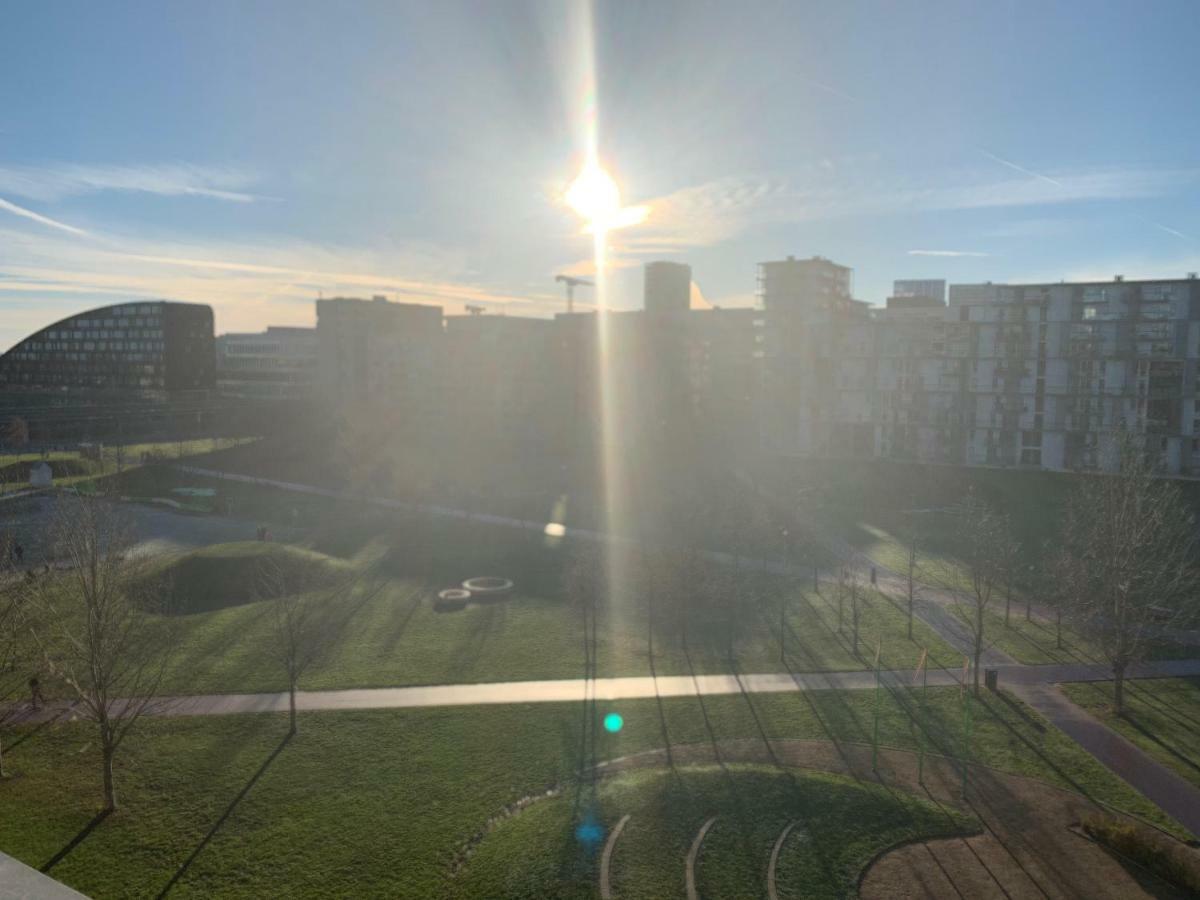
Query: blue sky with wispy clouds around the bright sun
x=254 y=154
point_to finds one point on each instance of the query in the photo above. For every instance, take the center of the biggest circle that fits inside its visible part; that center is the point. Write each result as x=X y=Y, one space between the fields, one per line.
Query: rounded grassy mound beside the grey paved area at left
x=230 y=574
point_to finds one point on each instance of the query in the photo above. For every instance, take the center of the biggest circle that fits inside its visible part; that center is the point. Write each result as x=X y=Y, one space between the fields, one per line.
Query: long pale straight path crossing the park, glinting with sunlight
x=614 y=689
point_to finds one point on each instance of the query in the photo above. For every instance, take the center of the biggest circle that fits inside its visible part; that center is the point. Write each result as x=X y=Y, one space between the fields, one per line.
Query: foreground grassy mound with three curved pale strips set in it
x=541 y=854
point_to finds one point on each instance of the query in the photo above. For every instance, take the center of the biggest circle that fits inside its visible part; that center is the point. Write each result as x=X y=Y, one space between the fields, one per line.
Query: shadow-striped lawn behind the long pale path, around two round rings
x=395 y=638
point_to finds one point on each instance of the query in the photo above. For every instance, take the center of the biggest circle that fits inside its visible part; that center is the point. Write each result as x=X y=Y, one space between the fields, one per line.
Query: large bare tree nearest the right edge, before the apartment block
x=1129 y=550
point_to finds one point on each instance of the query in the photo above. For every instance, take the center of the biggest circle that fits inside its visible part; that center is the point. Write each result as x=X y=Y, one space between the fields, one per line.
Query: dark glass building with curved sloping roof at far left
x=137 y=347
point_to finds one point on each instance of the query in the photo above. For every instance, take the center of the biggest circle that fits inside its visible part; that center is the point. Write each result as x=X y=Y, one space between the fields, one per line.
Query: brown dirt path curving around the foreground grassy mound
x=1029 y=848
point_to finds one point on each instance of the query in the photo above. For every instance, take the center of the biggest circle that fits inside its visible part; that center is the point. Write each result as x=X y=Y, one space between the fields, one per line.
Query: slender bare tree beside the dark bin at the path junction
x=982 y=541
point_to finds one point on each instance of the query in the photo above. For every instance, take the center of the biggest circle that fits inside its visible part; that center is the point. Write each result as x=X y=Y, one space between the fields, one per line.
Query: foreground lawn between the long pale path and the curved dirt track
x=379 y=803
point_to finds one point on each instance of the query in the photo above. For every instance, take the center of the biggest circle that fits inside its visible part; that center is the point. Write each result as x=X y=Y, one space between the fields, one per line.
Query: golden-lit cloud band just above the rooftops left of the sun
x=248 y=284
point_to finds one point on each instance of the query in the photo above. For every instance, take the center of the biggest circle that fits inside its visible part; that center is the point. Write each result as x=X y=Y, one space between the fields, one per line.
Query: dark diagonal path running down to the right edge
x=1174 y=795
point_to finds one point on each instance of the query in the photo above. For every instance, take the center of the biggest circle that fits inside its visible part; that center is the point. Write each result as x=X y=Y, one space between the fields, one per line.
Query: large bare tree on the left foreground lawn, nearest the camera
x=99 y=632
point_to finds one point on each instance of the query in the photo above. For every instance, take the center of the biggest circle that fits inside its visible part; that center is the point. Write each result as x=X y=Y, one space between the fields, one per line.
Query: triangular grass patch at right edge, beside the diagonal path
x=1162 y=717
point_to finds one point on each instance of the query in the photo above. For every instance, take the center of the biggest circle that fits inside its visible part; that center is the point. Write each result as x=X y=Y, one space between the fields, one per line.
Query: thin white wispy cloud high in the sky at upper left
x=50 y=184
